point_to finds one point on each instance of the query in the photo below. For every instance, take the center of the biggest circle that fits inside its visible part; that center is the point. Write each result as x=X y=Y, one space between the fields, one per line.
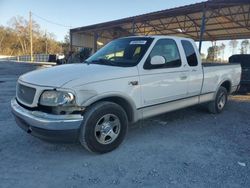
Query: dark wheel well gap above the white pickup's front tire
x=123 y=103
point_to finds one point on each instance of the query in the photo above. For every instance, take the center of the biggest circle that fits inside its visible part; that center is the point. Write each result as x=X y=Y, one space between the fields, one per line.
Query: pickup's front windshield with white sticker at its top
x=122 y=52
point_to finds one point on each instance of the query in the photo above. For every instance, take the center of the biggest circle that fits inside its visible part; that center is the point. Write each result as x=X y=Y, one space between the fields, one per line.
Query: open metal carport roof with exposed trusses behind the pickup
x=206 y=21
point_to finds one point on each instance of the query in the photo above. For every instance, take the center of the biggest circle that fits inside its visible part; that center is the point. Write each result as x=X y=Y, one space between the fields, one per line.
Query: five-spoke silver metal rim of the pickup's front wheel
x=107 y=129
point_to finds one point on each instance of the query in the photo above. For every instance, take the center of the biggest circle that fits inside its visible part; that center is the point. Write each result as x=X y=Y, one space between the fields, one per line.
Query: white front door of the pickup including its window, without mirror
x=163 y=83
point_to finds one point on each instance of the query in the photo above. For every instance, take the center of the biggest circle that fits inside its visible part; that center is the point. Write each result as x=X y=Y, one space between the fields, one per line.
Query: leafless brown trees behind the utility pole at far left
x=14 y=39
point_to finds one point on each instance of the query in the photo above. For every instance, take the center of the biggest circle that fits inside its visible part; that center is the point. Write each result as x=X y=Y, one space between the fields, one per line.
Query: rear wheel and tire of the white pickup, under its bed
x=218 y=105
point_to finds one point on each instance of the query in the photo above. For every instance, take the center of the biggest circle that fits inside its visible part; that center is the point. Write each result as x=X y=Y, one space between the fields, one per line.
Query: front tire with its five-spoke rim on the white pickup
x=104 y=127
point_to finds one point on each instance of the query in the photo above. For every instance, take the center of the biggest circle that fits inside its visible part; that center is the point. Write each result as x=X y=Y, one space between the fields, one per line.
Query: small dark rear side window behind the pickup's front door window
x=190 y=53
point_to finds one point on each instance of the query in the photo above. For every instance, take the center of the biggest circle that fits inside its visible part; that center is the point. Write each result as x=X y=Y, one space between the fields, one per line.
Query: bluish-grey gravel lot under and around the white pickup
x=186 y=148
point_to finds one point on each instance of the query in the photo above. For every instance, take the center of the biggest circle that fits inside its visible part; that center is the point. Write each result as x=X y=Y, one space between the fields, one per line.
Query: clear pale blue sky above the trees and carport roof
x=79 y=13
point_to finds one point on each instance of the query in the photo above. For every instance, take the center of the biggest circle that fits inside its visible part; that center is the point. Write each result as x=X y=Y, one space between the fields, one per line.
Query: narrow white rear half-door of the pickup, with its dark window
x=194 y=68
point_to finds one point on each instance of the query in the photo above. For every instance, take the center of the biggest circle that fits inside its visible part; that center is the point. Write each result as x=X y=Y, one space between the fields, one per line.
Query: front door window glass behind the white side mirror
x=169 y=50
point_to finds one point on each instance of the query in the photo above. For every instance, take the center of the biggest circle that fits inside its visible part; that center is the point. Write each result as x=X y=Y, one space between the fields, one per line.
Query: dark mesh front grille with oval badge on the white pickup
x=25 y=94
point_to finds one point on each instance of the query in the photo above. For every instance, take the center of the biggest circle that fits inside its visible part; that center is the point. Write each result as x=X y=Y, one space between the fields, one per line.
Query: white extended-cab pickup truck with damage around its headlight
x=127 y=80
